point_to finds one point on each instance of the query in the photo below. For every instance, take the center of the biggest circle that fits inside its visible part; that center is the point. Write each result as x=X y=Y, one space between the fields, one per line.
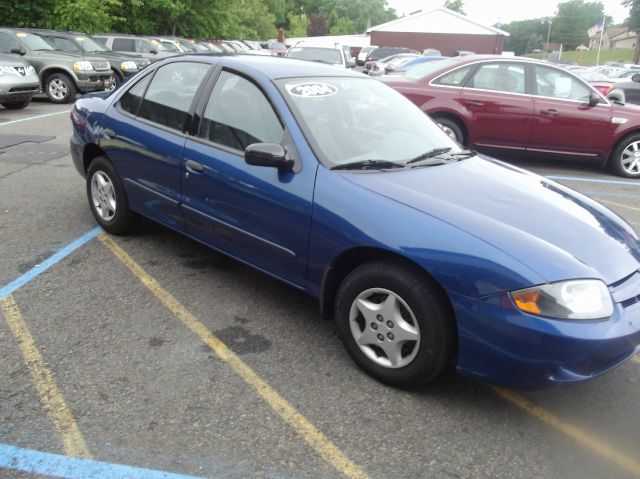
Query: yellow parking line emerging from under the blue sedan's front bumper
x=579 y=435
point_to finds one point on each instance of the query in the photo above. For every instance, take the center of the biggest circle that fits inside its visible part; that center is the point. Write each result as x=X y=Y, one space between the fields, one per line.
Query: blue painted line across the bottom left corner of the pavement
x=65 y=467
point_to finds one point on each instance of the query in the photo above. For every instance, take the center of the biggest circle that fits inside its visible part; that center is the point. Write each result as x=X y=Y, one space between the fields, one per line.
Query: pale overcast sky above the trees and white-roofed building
x=492 y=11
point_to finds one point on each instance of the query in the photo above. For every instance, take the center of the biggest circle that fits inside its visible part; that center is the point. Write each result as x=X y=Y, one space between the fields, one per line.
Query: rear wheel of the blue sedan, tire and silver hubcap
x=107 y=198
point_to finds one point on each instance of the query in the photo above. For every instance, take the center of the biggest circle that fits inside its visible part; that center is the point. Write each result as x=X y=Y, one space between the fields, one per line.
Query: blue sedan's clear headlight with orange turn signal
x=575 y=299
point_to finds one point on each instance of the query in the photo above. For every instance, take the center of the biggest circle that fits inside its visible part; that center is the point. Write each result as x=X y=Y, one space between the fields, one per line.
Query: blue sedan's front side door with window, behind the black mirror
x=257 y=214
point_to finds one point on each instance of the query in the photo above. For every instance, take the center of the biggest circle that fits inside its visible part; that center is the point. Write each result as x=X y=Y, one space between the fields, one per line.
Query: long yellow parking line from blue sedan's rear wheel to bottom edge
x=316 y=439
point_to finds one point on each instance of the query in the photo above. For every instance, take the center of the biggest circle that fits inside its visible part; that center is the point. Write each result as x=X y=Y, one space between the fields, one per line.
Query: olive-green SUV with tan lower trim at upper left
x=62 y=74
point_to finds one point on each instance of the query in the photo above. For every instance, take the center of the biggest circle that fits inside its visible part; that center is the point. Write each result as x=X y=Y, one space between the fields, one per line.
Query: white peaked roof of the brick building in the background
x=440 y=20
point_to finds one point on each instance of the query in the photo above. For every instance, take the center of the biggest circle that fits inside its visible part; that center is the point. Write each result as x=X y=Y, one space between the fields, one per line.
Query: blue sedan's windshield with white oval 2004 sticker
x=350 y=119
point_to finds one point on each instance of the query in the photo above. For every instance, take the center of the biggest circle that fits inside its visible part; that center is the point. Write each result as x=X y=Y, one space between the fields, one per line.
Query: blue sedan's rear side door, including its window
x=144 y=136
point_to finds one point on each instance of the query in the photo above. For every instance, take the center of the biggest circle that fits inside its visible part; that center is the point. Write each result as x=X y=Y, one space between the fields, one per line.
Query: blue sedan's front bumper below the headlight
x=499 y=344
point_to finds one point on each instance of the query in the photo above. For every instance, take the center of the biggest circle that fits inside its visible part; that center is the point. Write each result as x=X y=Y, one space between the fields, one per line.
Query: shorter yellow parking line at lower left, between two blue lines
x=53 y=402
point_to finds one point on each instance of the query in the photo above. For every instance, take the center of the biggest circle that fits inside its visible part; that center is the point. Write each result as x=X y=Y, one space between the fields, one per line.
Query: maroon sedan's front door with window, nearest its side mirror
x=564 y=122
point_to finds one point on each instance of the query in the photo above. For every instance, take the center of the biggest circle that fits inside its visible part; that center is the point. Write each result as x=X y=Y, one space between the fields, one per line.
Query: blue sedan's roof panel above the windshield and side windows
x=271 y=67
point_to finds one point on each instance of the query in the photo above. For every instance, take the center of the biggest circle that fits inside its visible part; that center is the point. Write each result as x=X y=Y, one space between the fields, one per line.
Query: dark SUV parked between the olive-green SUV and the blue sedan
x=123 y=65
